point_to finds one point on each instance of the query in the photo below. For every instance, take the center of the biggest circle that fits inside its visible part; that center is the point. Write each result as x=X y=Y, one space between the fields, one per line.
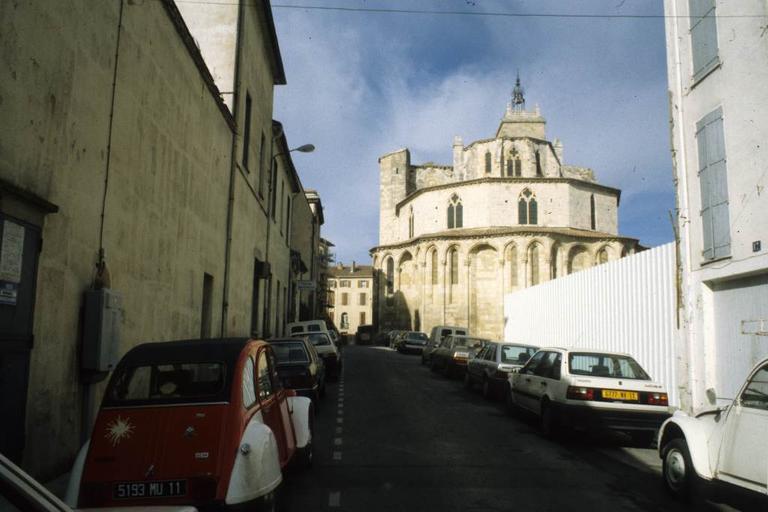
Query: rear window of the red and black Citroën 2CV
x=178 y=382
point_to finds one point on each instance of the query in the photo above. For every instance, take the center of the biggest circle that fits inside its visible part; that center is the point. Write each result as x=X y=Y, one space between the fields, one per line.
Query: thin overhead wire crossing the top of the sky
x=383 y=10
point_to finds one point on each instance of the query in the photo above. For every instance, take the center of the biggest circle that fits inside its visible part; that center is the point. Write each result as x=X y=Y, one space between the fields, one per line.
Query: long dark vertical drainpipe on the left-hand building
x=232 y=174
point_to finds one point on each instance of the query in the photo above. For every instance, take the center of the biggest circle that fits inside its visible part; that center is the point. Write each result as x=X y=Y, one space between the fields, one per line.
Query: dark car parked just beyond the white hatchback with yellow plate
x=490 y=368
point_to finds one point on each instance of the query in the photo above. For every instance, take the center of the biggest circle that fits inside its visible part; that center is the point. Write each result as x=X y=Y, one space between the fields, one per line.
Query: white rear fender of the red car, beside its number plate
x=256 y=471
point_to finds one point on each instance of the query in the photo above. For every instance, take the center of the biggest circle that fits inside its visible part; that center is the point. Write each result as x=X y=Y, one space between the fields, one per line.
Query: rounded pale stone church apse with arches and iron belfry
x=507 y=214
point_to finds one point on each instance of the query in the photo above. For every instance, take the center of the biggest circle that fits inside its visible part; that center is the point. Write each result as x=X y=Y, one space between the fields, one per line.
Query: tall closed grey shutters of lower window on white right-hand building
x=713 y=179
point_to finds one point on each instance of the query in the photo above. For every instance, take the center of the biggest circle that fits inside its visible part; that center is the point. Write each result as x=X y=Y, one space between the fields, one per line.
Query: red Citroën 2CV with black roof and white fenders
x=204 y=423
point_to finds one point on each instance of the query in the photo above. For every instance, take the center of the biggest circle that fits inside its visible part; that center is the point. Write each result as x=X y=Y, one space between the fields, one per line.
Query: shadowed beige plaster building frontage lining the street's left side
x=143 y=173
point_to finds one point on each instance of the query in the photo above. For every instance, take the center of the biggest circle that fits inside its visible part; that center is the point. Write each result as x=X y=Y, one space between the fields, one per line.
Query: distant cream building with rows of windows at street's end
x=352 y=304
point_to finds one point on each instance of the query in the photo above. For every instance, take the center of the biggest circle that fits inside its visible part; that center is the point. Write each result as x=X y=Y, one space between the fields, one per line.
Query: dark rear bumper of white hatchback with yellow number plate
x=610 y=419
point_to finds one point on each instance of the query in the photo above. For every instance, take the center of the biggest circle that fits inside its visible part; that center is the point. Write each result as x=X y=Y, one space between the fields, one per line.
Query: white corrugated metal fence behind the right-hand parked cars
x=627 y=305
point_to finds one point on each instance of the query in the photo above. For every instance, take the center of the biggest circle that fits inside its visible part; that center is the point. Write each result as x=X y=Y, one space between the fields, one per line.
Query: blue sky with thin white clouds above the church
x=363 y=84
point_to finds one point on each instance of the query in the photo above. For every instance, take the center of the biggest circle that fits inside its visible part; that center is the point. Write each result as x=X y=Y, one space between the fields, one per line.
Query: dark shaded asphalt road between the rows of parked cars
x=392 y=436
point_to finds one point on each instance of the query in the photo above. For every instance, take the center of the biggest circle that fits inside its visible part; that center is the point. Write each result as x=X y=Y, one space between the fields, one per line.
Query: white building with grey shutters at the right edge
x=719 y=125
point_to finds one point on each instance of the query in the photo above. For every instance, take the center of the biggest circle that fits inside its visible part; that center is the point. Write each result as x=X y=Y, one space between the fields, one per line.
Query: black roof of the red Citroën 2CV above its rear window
x=225 y=350
